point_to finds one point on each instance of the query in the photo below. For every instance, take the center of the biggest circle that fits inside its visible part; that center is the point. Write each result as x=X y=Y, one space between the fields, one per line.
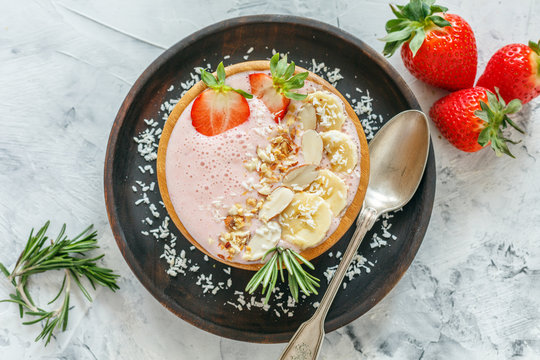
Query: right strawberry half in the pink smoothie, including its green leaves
x=274 y=91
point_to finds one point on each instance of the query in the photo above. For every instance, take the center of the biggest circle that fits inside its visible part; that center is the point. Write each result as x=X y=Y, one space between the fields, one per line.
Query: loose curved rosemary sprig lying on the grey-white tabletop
x=61 y=254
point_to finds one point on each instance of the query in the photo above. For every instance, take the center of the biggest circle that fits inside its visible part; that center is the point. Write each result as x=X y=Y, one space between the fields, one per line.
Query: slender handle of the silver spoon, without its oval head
x=306 y=342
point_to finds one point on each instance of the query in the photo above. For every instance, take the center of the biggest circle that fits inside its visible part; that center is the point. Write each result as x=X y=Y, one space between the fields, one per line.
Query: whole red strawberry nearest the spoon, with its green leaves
x=470 y=119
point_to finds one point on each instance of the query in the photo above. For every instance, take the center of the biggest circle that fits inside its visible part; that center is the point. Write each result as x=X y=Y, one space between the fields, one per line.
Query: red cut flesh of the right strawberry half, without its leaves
x=262 y=86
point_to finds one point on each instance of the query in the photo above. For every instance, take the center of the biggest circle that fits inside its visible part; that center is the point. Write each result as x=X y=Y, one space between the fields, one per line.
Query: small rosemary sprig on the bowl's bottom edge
x=298 y=277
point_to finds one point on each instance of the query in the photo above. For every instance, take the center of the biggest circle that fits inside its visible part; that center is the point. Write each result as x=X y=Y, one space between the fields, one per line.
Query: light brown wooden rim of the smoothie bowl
x=351 y=212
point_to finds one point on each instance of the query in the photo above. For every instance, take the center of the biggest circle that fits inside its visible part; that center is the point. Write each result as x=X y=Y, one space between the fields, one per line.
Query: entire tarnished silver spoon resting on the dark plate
x=398 y=155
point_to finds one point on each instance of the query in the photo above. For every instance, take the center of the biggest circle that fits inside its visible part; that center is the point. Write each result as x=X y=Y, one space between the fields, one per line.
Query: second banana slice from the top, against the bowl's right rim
x=341 y=150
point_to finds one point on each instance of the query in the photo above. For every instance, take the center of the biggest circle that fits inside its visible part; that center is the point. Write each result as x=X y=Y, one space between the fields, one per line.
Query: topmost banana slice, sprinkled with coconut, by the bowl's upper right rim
x=329 y=110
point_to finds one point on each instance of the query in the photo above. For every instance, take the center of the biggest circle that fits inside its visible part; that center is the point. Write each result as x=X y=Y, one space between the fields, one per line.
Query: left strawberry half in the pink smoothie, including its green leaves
x=220 y=107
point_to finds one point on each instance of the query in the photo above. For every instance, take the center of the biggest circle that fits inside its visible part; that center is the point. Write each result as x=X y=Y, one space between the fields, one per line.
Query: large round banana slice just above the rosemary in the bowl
x=306 y=220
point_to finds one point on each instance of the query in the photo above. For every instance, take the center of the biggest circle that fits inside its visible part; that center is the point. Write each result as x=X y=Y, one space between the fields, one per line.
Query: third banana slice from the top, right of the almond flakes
x=331 y=188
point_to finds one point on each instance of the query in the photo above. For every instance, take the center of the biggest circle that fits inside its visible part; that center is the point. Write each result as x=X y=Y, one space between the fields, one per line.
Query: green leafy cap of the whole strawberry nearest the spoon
x=494 y=113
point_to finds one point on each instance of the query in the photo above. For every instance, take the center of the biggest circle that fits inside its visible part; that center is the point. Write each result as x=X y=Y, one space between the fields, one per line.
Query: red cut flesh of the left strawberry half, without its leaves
x=215 y=112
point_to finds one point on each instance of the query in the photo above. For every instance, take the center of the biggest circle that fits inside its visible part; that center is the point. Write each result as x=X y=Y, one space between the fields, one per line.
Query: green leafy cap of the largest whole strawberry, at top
x=412 y=21
